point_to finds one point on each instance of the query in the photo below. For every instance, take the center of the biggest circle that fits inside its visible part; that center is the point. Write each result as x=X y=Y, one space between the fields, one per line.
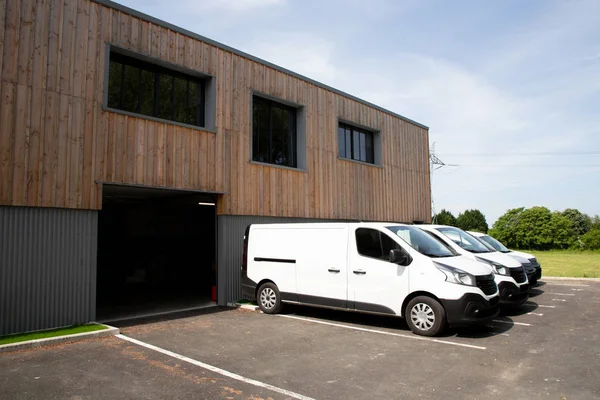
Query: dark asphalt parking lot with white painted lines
x=549 y=349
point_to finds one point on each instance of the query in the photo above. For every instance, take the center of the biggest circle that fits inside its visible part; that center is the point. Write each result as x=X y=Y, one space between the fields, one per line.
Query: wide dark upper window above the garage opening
x=148 y=89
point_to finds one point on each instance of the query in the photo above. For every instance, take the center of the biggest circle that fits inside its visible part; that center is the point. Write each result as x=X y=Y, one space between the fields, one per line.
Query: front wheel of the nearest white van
x=425 y=316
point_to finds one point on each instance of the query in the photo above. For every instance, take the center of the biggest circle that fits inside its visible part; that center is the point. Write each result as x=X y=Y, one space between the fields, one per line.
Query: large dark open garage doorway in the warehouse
x=156 y=252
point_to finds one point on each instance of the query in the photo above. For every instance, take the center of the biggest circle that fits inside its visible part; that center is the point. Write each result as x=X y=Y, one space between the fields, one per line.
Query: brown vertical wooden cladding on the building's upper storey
x=57 y=141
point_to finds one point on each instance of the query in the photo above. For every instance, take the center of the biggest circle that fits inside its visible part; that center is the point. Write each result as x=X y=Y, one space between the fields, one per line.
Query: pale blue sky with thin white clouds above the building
x=510 y=90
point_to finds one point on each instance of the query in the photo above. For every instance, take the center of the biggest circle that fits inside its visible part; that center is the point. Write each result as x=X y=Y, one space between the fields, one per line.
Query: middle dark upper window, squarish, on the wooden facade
x=274 y=133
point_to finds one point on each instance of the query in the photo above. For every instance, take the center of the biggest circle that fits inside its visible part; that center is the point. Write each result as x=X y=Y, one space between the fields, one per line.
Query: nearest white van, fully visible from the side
x=381 y=268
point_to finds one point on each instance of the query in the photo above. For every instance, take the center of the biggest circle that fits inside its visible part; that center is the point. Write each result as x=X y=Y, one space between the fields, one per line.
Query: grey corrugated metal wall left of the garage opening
x=47 y=268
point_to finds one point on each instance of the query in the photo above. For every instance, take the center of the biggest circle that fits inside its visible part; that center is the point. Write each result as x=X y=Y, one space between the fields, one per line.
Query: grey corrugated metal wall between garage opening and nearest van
x=230 y=240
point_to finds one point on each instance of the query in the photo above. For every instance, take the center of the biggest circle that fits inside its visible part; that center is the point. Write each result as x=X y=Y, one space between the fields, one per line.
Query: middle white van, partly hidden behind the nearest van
x=509 y=273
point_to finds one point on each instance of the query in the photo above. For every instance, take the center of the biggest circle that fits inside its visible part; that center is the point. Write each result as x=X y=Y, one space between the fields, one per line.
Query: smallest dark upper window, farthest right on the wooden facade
x=356 y=143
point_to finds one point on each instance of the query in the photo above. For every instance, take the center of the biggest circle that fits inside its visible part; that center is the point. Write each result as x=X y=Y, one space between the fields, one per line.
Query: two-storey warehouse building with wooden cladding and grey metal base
x=134 y=153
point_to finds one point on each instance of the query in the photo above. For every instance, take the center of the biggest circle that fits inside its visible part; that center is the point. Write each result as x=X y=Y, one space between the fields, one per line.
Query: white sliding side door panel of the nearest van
x=321 y=267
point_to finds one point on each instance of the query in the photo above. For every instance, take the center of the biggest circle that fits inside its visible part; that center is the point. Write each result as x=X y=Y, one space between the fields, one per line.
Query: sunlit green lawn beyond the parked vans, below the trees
x=569 y=263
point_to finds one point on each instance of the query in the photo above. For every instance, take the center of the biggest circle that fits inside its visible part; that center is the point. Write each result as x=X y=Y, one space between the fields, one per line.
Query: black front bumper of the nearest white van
x=471 y=308
